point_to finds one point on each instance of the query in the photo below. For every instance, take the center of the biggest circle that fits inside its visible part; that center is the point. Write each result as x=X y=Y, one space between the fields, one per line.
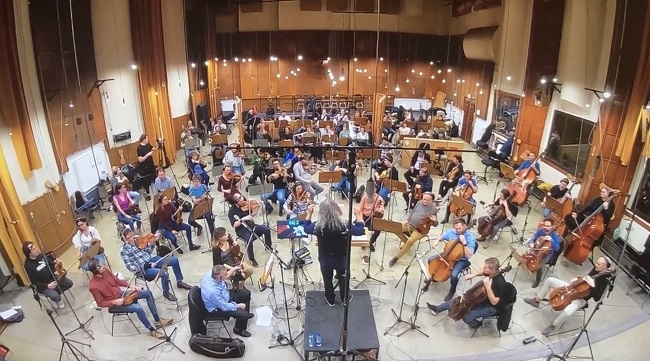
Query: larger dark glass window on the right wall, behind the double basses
x=568 y=146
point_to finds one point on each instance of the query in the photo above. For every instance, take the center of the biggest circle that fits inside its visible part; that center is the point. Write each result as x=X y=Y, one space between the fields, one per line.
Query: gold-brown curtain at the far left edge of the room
x=13 y=108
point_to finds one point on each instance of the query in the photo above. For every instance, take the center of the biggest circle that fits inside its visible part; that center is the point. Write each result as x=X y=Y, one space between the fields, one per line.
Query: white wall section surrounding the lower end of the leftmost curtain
x=33 y=187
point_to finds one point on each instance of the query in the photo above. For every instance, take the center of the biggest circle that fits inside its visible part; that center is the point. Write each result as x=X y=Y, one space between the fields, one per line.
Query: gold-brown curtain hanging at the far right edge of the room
x=637 y=100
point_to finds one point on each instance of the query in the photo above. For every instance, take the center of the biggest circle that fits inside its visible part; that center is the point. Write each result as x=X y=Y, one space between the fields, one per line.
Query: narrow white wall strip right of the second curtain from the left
x=178 y=86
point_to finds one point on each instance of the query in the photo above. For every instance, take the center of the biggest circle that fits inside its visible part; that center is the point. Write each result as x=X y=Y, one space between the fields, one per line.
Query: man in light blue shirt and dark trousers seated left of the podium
x=220 y=301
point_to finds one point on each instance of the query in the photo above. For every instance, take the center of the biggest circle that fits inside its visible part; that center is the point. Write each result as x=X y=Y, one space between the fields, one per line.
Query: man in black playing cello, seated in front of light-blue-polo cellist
x=500 y=293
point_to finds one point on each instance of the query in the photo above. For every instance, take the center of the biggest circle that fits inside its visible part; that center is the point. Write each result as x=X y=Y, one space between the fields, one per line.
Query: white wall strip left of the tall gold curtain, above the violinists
x=113 y=58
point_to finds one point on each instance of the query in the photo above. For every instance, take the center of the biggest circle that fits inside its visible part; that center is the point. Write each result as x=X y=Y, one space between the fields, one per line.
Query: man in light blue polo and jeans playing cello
x=468 y=242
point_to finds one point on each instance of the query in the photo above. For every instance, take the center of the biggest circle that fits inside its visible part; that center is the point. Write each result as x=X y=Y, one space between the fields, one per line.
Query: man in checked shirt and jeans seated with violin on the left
x=142 y=263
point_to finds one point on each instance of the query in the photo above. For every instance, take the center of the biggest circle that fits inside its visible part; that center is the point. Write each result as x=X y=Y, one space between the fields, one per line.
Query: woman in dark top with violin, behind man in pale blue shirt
x=225 y=251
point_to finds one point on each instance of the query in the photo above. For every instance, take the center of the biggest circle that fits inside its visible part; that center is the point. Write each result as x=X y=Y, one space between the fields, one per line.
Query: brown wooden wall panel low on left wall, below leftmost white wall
x=53 y=220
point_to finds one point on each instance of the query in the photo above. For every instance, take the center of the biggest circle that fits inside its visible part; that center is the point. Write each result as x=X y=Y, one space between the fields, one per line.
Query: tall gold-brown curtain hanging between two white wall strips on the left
x=149 y=55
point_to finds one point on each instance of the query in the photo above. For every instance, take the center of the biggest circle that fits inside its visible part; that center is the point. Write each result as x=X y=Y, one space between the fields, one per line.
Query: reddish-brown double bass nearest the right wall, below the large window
x=578 y=244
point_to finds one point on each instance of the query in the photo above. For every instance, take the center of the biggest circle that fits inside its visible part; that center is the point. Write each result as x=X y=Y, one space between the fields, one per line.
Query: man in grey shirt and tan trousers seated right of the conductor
x=424 y=209
